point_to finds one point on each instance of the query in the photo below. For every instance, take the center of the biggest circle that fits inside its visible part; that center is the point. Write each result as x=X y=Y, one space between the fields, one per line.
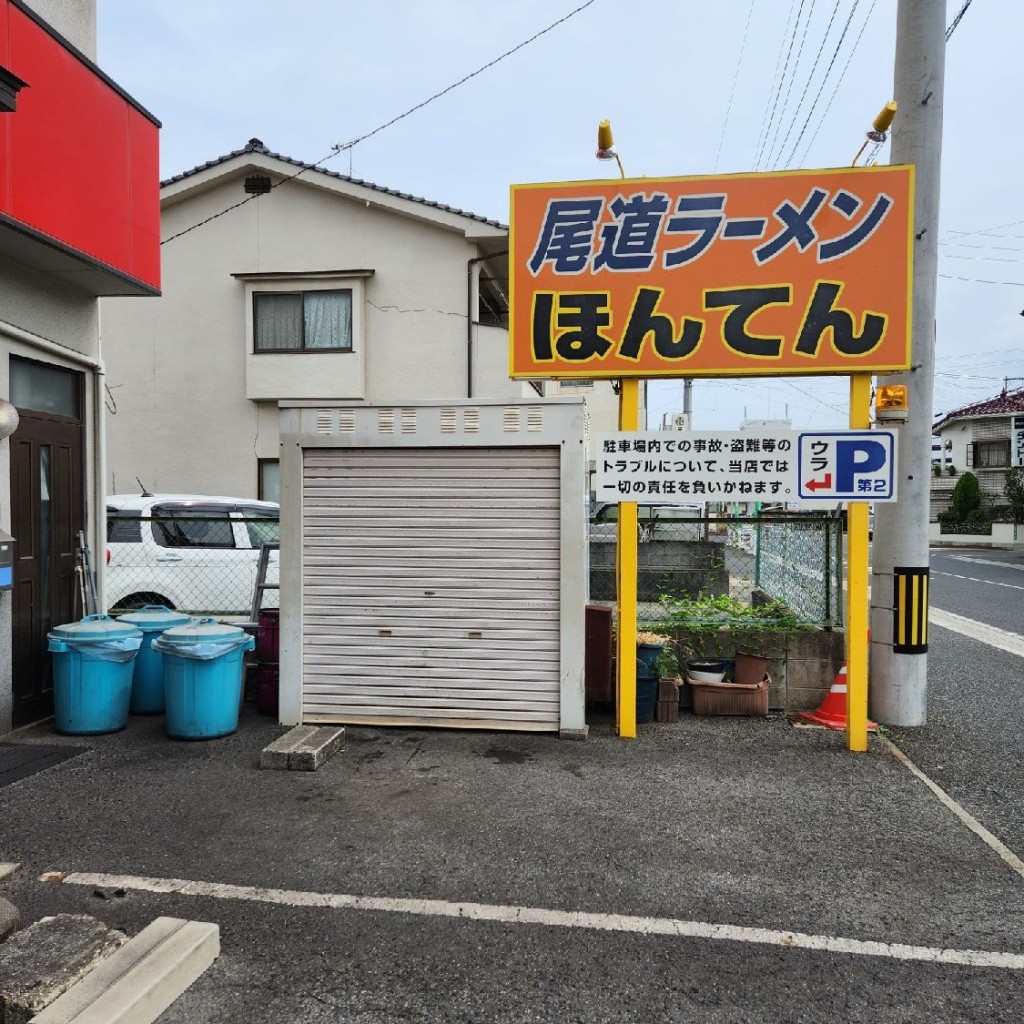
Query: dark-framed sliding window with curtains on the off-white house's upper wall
x=295 y=322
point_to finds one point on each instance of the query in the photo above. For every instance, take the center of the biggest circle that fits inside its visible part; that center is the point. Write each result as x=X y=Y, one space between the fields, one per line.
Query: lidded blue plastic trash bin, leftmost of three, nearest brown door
x=93 y=669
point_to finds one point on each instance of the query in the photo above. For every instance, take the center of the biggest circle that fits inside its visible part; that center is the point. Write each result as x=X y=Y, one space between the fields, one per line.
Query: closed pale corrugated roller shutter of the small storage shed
x=431 y=587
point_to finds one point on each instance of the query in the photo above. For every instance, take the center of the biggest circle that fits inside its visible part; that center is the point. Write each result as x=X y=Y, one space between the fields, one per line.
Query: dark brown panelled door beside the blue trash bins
x=48 y=513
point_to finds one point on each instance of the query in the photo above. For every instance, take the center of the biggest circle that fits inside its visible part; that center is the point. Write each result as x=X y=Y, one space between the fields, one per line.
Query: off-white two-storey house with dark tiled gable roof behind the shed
x=286 y=282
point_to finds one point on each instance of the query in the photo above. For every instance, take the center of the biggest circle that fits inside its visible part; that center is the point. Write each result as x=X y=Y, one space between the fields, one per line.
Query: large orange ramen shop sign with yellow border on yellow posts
x=784 y=273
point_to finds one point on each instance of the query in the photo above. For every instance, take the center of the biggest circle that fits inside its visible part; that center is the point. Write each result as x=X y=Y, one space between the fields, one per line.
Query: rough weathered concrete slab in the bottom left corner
x=42 y=962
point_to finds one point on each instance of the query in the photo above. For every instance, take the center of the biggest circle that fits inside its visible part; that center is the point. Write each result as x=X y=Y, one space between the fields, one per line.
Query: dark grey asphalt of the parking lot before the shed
x=714 y=870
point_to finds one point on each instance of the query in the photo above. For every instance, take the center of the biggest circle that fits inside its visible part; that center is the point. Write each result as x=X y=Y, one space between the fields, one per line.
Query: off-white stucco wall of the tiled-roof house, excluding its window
x=178 y=365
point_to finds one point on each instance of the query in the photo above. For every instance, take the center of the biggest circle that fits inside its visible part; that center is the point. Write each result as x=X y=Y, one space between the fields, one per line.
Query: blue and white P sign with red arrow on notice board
x=847 y=465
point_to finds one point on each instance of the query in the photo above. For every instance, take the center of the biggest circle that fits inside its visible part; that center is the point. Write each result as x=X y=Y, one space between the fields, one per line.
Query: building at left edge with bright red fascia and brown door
x=79 y=220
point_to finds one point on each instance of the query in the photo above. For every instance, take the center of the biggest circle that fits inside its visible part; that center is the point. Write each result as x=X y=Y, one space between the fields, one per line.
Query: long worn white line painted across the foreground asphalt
x=557 y=919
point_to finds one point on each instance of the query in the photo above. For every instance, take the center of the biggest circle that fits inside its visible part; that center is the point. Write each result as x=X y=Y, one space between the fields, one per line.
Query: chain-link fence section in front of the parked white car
x=197 y=564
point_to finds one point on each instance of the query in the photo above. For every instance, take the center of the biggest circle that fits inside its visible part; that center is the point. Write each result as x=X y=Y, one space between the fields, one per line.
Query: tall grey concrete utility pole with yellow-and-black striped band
x=900 y=573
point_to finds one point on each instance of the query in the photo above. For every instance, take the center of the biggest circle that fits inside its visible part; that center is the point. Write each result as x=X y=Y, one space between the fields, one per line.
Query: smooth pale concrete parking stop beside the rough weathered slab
x=142 y=979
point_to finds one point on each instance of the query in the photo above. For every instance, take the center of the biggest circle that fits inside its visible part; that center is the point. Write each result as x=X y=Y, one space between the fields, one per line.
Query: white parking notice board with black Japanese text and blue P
x=664 y=467
